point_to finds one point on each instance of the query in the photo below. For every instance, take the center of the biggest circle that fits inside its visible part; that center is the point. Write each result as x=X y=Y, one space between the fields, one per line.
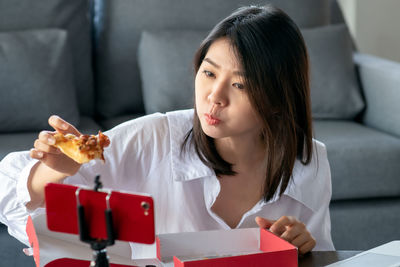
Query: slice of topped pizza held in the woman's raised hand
x=82 y=148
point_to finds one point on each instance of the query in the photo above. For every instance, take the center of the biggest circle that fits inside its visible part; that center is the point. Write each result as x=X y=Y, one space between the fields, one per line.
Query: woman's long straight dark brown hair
x=272 y=52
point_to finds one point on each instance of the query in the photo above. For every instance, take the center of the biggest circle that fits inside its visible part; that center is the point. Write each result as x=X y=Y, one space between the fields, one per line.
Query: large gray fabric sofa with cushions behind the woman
x=103 y=62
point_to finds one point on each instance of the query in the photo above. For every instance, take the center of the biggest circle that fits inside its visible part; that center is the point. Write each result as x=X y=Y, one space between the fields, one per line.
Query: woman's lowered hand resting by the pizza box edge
x=291 y=230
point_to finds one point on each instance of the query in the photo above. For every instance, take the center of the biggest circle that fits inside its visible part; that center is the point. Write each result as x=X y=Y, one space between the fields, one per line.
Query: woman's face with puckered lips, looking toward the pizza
x=222 y=103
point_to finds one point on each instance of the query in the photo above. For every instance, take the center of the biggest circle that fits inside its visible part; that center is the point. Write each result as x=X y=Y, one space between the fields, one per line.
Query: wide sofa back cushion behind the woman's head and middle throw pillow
x=119 y=23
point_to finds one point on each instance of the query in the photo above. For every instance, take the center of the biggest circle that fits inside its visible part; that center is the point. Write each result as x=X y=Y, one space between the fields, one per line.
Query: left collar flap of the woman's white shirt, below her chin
x=186 y=164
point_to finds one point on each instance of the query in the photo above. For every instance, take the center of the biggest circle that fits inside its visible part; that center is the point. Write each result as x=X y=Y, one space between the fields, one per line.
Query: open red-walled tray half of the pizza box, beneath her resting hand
x=238 y=247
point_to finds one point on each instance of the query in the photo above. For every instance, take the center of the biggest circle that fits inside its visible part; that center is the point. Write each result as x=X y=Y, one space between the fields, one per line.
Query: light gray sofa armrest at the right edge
x=380 y=80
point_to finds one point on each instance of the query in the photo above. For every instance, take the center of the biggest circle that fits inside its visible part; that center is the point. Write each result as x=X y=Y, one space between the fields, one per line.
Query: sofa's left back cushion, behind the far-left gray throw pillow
x=69 y=15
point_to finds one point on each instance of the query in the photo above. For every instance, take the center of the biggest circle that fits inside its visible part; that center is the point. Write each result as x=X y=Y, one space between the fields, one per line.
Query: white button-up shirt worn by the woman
x=145 y=156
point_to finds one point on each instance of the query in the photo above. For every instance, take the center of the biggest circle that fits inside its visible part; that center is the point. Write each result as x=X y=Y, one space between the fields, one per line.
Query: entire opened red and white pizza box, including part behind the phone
x=238 y=247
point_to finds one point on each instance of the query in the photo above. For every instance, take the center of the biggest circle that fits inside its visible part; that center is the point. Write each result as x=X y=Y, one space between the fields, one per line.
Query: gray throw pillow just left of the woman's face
x=165 y=63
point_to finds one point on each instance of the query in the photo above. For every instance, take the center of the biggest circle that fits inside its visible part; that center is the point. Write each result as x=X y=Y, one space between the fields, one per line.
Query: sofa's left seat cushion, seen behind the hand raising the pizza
x=10 y=142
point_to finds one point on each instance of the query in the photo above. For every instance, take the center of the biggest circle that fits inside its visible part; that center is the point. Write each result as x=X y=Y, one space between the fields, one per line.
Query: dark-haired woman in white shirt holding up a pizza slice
x=243 y=157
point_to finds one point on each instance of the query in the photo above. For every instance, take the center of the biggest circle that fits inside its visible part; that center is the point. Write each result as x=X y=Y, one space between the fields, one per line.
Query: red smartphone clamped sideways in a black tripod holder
x=133 y=214
